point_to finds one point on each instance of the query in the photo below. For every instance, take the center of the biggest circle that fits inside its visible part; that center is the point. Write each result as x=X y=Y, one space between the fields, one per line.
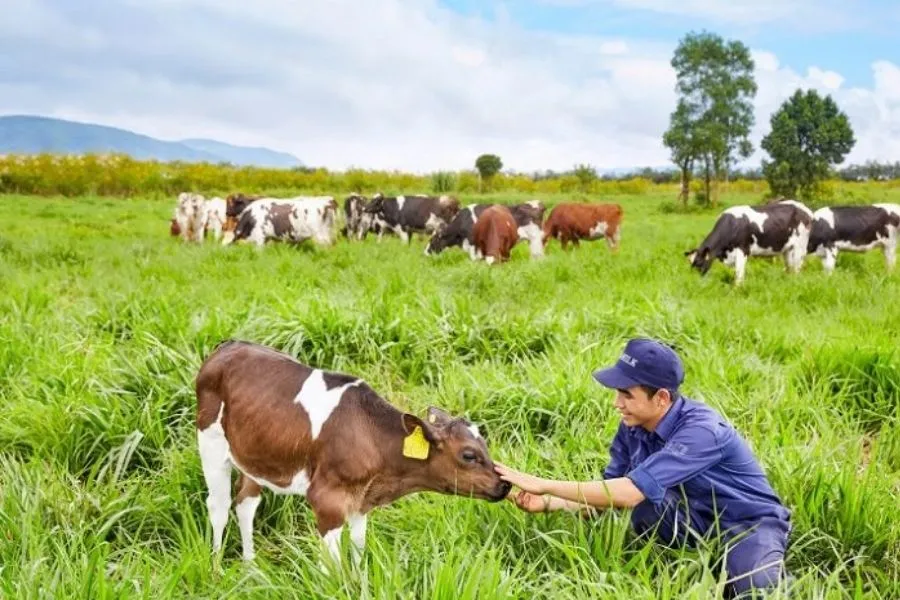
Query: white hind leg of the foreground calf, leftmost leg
x=214 y=451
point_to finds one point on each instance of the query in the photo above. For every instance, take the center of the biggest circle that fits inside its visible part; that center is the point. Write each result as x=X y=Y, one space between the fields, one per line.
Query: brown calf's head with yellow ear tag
x=457 y=460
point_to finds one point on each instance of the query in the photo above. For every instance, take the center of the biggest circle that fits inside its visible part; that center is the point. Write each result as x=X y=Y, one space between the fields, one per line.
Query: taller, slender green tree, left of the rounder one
x=714 y=116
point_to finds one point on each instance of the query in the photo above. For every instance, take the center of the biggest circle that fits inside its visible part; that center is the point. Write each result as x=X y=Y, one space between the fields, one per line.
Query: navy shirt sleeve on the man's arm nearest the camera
x=691 y=450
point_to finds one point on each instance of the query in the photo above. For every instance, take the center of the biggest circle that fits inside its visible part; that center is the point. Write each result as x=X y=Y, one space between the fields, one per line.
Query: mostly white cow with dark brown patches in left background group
x=287 y=219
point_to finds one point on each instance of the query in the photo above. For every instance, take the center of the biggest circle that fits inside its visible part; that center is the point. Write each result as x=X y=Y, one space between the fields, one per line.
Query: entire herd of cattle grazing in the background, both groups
x=490 y=231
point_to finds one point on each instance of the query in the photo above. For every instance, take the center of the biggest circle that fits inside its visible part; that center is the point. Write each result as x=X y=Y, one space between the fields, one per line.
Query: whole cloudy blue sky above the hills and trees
x=424 y=85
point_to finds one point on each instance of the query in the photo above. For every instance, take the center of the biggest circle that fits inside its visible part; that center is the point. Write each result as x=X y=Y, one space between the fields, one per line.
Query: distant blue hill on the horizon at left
x=33 y=134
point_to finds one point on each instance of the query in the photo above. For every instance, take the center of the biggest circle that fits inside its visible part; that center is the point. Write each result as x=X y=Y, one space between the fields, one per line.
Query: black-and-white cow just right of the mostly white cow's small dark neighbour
x=405 y=215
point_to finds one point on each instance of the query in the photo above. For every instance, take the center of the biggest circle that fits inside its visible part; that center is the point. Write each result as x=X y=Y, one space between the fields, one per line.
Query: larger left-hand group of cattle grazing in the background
x=485 y=231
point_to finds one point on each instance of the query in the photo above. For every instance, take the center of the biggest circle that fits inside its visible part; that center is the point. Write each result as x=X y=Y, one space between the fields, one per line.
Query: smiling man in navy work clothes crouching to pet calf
x=683 y=469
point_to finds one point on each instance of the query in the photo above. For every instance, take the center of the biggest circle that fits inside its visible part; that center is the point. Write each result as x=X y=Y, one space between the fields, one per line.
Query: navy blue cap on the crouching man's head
x=643 y=362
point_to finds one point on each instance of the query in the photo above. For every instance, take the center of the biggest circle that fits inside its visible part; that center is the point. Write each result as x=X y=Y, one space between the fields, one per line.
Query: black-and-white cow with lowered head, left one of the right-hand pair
x=766 y=230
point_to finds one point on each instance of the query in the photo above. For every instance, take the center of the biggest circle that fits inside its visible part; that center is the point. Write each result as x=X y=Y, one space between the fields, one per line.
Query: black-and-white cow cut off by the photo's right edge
x=855 y=229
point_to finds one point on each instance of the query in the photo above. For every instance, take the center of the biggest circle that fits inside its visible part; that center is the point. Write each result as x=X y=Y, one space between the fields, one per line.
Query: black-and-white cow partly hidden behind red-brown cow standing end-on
x=529 y=218
